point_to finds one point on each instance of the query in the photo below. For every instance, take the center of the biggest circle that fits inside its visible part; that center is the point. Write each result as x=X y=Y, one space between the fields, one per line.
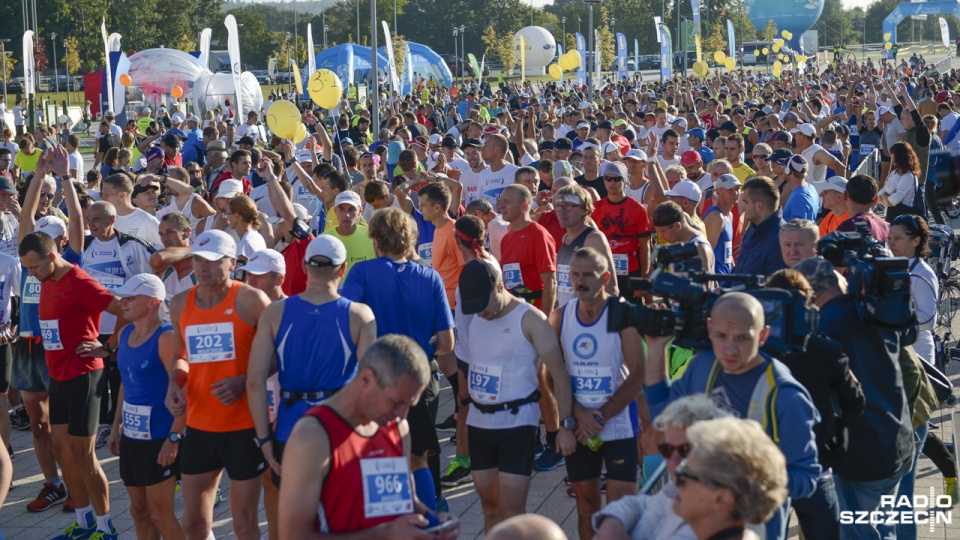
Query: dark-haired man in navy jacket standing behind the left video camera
x=760 y=245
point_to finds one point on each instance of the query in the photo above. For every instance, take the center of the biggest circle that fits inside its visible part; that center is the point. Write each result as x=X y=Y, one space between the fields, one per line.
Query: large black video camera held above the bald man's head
x=791 y=318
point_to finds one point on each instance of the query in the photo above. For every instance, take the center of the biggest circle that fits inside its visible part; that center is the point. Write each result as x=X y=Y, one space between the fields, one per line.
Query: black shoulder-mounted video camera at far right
x=880 y=281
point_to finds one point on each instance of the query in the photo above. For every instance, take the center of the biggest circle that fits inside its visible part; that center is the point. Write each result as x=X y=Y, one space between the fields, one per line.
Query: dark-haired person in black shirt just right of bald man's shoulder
x=824 y=371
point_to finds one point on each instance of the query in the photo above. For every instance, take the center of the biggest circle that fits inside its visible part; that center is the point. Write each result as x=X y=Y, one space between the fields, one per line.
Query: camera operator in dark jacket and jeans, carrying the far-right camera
x=881 y=442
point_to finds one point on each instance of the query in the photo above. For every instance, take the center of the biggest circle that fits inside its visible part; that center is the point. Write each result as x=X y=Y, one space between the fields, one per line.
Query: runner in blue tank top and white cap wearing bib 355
x=145 y=435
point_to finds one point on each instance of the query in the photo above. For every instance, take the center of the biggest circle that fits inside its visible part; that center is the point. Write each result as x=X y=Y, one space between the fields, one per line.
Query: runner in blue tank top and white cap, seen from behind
x=312 y=340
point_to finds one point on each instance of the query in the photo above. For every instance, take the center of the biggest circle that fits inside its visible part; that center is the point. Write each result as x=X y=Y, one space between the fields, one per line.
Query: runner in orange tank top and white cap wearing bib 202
x=215 y=323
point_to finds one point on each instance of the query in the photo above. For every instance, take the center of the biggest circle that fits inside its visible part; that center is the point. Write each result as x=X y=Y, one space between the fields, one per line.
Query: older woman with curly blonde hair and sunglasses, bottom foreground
x=734 y=475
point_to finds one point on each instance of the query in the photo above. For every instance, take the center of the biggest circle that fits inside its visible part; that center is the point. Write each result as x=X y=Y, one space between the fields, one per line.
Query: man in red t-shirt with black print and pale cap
x=625 y=223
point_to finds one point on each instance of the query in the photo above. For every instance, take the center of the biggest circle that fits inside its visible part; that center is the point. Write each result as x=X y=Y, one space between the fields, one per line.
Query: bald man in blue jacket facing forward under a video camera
x=748 y=383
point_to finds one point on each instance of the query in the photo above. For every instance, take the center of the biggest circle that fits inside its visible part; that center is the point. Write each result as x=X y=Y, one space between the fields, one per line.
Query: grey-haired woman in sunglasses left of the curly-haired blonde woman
x=651 y=517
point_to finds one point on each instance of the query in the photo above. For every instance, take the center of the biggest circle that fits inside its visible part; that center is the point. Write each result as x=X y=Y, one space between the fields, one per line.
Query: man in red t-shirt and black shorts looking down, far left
x=71 y=303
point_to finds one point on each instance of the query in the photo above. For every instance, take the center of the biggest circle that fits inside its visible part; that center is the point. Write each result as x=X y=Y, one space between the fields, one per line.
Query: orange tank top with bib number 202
x=218 y=345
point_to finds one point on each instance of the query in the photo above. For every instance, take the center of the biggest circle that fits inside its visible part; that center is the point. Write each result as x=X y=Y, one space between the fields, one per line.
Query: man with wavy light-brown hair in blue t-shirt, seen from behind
x=409 y=299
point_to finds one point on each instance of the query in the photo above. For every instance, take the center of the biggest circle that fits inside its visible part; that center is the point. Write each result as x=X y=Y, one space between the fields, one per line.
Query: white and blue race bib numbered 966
x=386 y=487
